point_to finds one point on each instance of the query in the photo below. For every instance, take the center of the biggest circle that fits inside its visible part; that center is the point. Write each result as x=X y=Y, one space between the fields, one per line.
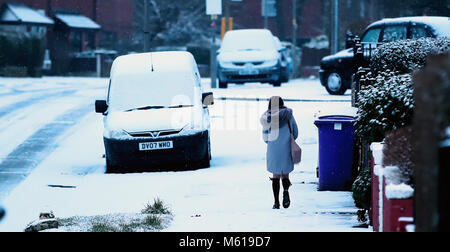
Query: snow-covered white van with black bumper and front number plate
x=156 y=113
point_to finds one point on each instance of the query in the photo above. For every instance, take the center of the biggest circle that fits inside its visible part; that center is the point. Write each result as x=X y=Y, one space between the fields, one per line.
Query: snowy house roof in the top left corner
x=12 y=13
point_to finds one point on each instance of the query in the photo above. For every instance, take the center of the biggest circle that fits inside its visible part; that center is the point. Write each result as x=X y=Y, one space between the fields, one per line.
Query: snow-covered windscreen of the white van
x=128 y=93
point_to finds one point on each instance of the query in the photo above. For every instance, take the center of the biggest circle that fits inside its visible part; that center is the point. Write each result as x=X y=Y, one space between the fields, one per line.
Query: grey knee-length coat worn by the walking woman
x=278 y=139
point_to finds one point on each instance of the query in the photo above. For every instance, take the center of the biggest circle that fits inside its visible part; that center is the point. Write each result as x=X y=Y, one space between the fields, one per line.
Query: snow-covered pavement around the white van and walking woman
x=233 y=195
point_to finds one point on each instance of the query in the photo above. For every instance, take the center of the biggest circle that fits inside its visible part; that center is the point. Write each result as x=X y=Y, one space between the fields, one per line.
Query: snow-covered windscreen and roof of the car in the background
x=248 y=41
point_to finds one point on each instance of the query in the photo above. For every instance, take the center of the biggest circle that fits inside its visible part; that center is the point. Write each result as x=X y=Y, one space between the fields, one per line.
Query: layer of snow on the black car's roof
x=441 y=25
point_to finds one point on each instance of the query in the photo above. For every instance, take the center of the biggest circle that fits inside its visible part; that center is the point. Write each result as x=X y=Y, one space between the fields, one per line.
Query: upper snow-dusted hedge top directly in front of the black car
x=405 y=56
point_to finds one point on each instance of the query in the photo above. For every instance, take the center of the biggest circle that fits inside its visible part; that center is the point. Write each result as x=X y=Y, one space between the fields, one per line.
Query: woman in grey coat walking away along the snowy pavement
x=279 y=127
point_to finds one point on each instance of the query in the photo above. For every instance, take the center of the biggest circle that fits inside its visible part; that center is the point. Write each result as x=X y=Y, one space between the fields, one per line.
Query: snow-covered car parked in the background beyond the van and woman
x=249 y=56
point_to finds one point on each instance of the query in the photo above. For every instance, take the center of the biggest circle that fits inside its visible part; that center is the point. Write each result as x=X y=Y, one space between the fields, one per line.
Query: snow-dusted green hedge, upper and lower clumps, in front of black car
x=387 y=104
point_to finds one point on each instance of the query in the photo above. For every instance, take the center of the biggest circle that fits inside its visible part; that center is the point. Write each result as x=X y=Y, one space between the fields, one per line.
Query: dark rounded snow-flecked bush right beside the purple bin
x=386 y=105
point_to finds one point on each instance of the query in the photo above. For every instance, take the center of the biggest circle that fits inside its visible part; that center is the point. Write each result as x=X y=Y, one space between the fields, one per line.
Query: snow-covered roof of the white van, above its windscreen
x=163 y=62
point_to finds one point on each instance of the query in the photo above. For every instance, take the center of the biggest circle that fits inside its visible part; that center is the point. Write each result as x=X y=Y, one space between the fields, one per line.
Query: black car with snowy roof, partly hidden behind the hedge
x=337 y=70
